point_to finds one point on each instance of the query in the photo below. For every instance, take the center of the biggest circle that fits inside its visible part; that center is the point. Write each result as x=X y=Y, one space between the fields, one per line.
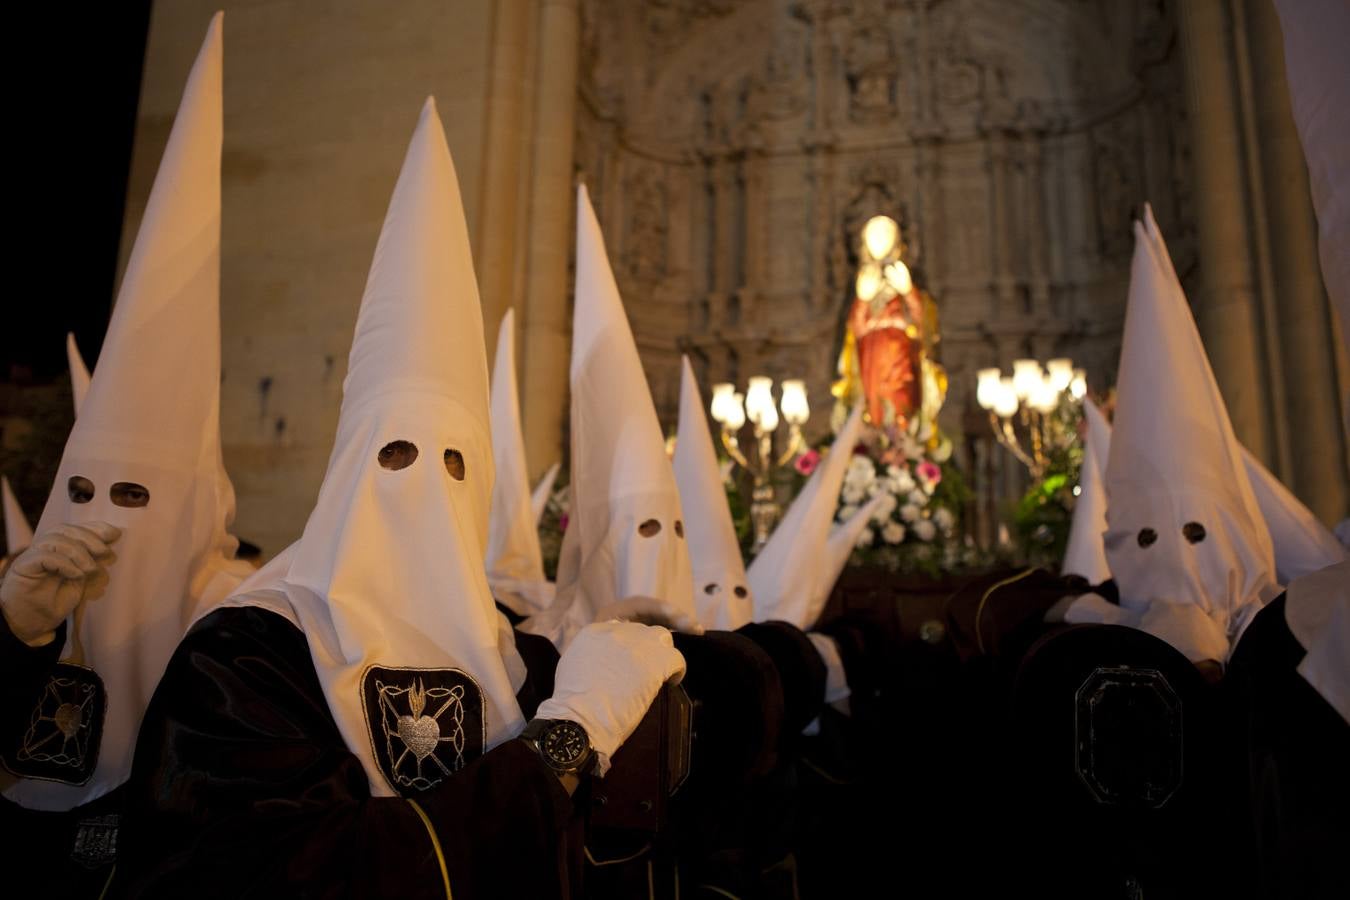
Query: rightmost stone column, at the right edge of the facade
x=1305 y=326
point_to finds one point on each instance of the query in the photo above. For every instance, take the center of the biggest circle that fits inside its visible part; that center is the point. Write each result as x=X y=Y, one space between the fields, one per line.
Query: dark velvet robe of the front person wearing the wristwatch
x=244 y=787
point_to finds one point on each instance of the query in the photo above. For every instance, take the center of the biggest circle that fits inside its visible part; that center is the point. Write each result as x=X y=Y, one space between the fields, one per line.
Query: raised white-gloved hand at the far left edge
x=45 y=582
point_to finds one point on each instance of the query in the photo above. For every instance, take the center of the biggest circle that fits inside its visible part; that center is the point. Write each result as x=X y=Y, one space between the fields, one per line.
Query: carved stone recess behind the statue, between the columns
x=736 y=148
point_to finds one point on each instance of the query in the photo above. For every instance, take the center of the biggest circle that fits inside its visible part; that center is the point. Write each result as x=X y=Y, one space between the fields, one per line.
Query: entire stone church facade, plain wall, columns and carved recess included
x=734 y=149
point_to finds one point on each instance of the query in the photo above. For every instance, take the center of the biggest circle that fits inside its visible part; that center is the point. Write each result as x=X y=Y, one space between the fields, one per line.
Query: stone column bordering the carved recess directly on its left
x=547 y=327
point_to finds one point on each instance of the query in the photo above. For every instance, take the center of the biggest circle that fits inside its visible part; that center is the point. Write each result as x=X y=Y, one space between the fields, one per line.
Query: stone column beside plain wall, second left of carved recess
x=500 y=229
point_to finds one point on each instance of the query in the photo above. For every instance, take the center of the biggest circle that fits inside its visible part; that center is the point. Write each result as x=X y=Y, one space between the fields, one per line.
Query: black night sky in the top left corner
x=75 y=76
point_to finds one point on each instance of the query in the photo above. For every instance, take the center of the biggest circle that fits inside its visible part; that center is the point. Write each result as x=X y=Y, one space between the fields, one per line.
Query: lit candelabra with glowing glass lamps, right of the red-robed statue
x=1028 y=399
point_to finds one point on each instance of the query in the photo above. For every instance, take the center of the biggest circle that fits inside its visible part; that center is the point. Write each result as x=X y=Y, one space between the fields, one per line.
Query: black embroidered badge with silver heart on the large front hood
x=425 y=724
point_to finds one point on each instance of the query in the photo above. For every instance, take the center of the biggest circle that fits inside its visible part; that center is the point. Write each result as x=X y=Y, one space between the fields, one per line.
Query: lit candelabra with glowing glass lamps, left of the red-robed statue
x=731 y=410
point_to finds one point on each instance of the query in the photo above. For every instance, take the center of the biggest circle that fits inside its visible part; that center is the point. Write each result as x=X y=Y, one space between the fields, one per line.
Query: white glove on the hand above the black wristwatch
x=608 y=679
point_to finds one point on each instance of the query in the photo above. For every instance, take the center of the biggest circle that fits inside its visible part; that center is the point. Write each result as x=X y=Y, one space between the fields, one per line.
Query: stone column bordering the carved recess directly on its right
x=1226 y=304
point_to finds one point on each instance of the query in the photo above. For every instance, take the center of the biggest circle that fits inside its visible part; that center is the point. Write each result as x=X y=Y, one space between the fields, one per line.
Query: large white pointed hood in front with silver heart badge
x=388 y=580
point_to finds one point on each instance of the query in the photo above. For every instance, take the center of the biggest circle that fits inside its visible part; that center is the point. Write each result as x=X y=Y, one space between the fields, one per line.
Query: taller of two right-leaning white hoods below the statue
x=788 y=574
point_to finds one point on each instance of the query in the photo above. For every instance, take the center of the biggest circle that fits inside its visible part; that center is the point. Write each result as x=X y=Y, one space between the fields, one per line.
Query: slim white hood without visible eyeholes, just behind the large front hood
x=515 y=559
